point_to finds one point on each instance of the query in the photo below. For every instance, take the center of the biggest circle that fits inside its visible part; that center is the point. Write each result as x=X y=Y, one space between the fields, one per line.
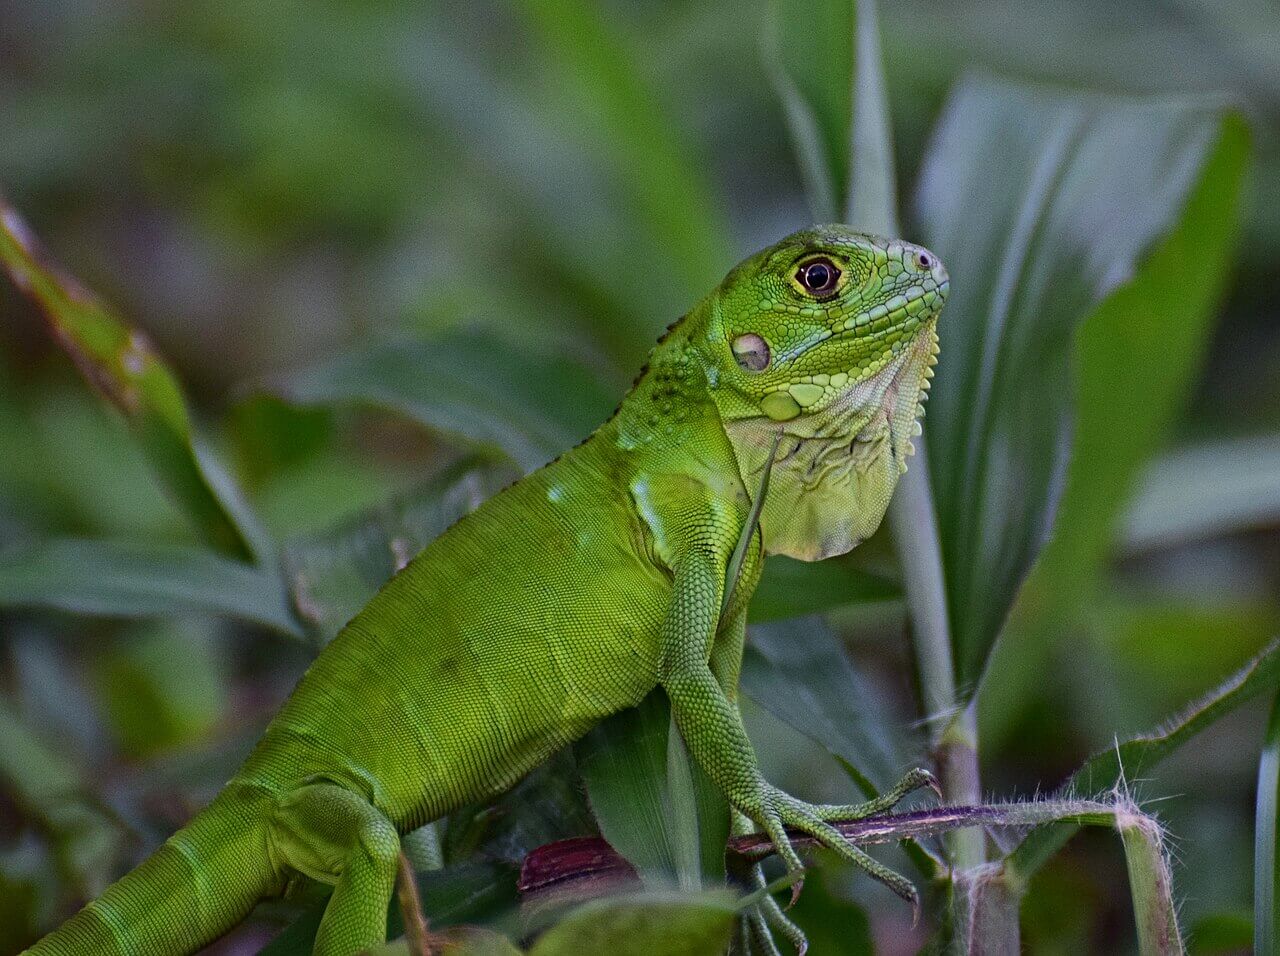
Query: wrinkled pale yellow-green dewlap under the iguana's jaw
x=836 y=469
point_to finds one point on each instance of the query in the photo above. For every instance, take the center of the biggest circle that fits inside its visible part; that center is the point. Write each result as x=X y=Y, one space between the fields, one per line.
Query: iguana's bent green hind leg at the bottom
x=336 y=836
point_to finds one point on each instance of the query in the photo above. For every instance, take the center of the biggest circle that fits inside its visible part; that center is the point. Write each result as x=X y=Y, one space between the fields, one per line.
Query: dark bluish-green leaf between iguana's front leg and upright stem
x=799 y=673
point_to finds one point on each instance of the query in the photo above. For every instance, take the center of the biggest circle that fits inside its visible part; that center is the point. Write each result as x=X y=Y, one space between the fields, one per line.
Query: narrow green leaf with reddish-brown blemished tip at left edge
x=121 y=364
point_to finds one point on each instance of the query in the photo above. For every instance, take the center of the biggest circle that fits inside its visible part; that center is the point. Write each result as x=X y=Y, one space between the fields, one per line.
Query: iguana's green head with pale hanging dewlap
x=830 y=339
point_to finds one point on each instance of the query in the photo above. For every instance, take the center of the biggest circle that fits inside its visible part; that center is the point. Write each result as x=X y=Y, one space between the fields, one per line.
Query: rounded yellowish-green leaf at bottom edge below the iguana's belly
x=644 y=925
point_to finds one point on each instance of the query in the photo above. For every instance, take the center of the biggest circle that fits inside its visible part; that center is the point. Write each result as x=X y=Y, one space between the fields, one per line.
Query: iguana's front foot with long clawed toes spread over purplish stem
x=783 y=811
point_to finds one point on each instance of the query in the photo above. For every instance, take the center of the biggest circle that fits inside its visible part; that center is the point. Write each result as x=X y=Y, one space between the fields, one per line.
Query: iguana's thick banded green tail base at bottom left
x=200 y=884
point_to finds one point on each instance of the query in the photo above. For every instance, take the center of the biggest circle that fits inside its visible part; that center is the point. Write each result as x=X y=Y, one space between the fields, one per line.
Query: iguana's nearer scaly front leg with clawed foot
x=714 y=729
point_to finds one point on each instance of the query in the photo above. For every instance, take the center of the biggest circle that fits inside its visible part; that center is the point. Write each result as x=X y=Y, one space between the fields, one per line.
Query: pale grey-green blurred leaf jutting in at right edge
x=1206 y=491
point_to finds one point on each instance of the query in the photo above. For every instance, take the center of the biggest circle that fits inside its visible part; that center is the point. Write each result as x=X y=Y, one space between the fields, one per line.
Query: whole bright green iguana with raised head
x=568 y=598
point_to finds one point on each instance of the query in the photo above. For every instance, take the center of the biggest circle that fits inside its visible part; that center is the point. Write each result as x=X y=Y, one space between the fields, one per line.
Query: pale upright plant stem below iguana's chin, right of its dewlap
x=956 y=735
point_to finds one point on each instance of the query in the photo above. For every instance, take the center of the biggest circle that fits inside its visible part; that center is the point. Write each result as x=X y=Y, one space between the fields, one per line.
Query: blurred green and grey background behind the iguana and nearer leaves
x=267 y=186
